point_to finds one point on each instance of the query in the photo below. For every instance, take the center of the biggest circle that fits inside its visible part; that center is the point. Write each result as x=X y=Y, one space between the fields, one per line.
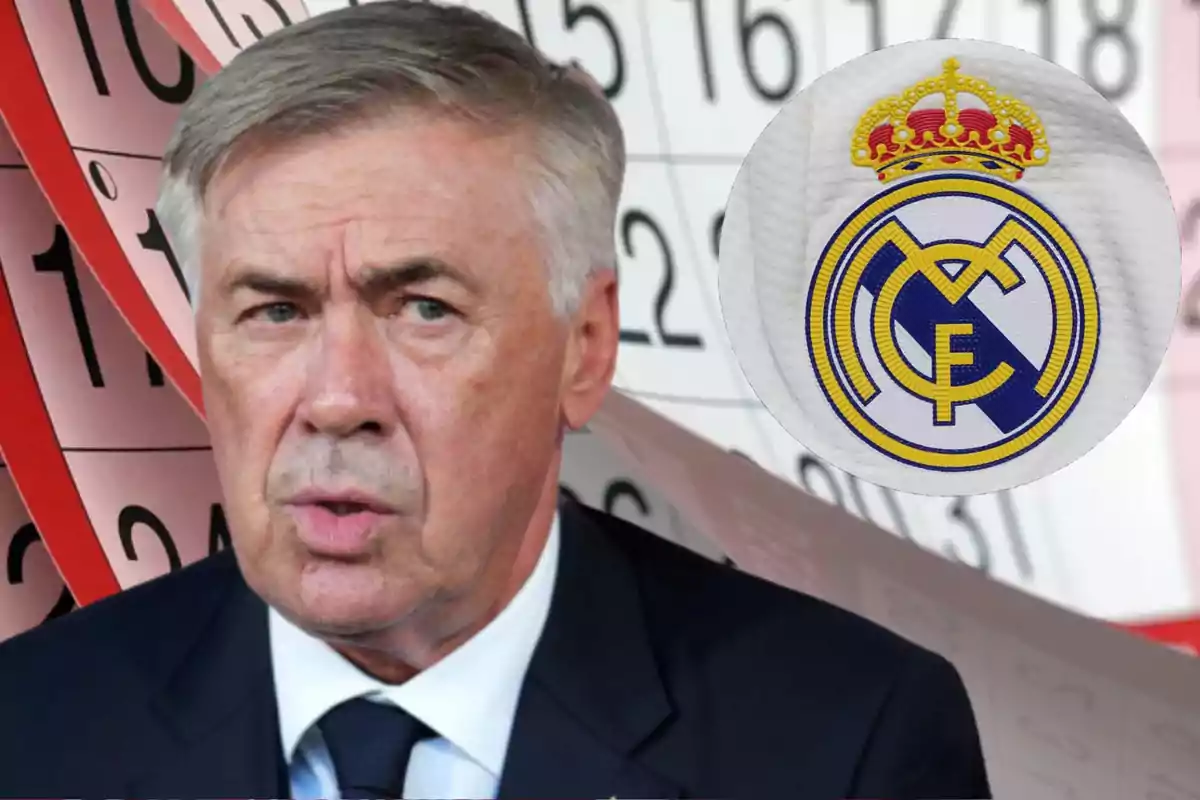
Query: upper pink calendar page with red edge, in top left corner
x=91 y=97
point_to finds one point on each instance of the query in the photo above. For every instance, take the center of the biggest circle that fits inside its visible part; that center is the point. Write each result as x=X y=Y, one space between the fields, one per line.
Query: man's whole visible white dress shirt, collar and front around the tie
x=469 y=699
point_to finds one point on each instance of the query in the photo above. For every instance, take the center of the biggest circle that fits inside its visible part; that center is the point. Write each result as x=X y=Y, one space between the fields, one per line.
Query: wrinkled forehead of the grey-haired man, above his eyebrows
x=374 y=191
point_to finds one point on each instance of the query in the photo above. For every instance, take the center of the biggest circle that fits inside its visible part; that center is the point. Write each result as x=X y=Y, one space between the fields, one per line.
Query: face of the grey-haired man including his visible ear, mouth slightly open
x=385 y=377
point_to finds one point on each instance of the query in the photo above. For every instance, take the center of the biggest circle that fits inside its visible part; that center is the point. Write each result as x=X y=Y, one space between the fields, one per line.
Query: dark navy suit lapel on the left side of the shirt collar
x=220 y=725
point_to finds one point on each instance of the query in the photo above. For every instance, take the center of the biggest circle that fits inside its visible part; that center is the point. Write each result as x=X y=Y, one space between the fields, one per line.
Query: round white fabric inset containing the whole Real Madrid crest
x=950 y=268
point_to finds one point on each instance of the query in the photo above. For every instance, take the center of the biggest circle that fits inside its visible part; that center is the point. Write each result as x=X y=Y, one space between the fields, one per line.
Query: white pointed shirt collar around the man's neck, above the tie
x=470 y=697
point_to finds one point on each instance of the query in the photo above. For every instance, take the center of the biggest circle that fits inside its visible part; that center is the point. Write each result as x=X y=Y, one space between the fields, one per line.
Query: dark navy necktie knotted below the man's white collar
x=370 y=744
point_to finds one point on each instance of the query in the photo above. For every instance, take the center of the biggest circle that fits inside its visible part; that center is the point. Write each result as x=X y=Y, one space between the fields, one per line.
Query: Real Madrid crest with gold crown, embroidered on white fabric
x=915 y=359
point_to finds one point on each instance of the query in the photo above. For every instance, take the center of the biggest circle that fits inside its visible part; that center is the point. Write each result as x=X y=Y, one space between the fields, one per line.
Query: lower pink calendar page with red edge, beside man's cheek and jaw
x=112 y=462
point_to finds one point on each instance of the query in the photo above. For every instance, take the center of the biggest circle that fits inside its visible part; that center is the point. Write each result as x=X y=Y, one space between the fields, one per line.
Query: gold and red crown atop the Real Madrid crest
x=1004 y=139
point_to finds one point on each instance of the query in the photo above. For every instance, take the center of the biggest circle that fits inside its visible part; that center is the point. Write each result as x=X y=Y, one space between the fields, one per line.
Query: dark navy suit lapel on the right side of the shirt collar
x=592 y=695
